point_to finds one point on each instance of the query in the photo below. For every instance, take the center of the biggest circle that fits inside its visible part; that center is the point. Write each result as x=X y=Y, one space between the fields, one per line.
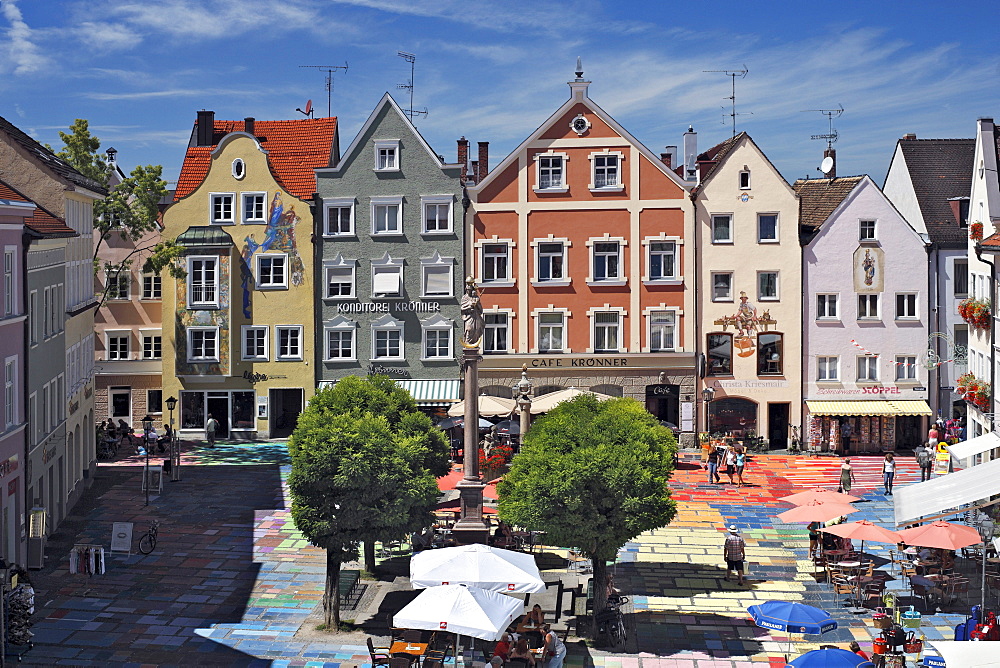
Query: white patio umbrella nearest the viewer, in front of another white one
x=467 y=611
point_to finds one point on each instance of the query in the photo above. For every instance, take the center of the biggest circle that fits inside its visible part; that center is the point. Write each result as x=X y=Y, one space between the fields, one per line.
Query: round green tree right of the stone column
x=592 y=475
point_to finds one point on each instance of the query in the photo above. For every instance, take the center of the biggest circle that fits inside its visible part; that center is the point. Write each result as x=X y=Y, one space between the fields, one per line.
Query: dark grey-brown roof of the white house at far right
x=940 y=169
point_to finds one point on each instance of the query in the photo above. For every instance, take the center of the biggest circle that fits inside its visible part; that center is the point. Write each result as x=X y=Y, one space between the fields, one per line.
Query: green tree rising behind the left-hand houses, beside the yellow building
x=130 y=210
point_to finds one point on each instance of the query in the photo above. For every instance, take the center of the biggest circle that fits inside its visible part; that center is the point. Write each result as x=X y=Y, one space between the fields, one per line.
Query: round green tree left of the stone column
x=365 y=464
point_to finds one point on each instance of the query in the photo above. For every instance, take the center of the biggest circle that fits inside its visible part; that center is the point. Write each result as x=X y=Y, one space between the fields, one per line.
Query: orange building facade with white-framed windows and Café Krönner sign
x=578 y=241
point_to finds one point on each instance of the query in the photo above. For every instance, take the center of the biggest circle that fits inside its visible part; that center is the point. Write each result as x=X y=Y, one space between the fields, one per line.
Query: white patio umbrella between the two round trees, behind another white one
x=489 y=568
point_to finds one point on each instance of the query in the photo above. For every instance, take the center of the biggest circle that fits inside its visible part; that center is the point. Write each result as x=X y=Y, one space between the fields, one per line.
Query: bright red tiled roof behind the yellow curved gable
x=294 y=149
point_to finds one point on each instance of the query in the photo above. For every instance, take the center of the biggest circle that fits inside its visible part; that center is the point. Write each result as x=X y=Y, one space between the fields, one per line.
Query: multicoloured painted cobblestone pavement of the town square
x=231 y=580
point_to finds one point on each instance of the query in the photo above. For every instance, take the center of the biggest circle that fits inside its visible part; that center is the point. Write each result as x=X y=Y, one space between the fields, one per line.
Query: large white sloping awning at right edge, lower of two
x=944 y=495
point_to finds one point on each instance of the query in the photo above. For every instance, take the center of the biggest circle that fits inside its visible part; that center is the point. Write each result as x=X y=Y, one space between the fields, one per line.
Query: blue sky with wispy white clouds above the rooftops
x=140 y=70
